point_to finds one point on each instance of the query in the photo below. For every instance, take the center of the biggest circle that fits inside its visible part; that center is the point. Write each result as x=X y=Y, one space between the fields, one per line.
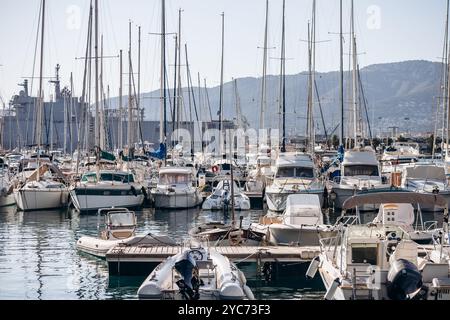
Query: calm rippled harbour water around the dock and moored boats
x=38 y=259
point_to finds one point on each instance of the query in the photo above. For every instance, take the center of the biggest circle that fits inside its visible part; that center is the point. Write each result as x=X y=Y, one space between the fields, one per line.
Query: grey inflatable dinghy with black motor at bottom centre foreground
x=196 y=273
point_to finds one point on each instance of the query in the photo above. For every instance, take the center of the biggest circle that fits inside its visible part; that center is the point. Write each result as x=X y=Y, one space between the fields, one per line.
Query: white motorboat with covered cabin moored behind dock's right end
x=301 y=223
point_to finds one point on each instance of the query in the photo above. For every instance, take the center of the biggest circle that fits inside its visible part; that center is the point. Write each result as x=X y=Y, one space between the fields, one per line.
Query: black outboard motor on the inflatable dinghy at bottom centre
x=188 y=285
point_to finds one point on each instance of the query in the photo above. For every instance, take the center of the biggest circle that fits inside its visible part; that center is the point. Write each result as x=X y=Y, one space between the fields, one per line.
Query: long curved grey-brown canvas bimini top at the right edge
x=395 y=197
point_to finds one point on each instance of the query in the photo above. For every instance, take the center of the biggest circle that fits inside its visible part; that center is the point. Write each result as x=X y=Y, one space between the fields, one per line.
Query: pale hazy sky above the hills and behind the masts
x=387 y=31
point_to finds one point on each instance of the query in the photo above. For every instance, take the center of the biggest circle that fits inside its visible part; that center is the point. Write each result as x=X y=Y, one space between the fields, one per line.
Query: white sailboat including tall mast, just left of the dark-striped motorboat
x=41 y=191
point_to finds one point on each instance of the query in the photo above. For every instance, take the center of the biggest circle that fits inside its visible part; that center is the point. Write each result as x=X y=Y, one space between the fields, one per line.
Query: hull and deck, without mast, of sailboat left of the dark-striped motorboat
x=42 y=191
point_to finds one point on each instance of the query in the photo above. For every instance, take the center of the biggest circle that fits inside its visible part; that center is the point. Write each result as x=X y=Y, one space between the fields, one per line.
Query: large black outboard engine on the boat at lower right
x=403 y=279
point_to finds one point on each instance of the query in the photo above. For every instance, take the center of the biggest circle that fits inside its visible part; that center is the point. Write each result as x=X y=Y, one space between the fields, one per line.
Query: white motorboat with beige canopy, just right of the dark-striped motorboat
x=176 y=189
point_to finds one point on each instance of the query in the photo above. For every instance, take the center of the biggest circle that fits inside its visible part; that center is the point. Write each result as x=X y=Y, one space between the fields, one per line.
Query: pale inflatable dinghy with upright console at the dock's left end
x=119 y=229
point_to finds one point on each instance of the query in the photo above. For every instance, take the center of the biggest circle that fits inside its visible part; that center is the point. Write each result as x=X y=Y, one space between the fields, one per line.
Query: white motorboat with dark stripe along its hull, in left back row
x=107 y=188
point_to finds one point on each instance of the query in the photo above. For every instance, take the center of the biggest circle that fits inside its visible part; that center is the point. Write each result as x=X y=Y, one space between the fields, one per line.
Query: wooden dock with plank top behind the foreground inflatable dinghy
x=141 y=260
